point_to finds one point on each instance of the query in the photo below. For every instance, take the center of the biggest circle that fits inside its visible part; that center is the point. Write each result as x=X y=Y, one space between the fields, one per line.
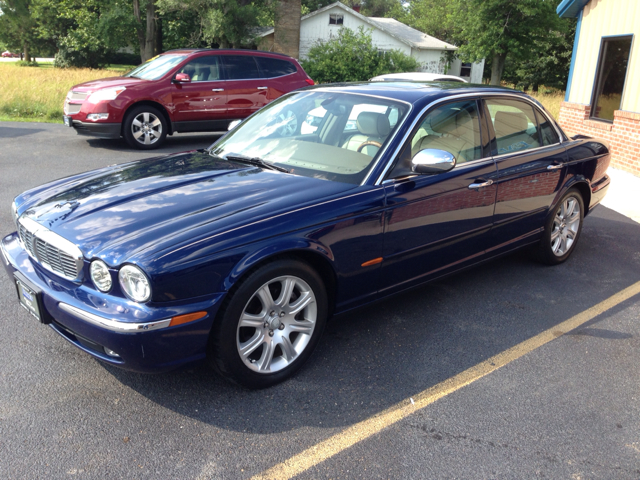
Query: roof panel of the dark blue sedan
x=412 y=91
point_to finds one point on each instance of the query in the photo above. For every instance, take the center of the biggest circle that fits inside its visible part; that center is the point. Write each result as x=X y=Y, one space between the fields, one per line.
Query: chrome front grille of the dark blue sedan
x=53 y=252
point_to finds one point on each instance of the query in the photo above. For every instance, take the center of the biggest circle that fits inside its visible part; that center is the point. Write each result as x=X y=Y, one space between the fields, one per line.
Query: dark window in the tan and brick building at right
x=611 y=73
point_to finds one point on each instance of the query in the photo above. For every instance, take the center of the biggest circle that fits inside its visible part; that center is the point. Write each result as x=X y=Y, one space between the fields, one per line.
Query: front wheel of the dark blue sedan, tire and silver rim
x=228 y=336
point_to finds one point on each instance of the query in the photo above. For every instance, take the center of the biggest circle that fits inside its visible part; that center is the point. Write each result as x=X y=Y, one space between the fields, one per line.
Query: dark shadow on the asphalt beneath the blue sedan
x=376 y=356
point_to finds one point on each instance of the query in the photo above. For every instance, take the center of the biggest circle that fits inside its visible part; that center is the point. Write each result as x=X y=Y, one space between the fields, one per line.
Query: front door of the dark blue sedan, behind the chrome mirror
x=439 y=222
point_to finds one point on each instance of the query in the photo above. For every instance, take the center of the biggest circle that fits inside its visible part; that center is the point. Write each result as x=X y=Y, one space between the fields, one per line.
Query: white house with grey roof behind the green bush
x=386 y=34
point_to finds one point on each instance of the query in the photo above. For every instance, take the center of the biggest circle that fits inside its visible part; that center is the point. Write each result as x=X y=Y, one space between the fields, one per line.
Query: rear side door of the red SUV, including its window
x=246 y=91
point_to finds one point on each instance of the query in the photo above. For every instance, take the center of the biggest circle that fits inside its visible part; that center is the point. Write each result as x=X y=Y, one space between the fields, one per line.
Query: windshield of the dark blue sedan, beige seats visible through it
x=328 y=135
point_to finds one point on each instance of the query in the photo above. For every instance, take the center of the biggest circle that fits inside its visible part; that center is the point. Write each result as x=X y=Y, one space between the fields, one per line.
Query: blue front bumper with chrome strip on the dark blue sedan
x=100 y=323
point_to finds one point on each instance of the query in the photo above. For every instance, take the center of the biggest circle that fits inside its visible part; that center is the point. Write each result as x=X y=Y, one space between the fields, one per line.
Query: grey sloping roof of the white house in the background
x=404 y=33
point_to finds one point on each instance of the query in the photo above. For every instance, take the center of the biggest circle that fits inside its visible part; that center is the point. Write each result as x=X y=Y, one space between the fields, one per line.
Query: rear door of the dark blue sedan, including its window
x=530 y=159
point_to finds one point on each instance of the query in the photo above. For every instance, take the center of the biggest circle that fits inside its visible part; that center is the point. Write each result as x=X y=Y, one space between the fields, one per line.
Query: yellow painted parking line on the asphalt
x=369 y=427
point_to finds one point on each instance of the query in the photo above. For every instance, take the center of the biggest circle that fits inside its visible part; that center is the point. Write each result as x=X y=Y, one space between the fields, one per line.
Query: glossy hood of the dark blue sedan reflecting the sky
x=119 y=211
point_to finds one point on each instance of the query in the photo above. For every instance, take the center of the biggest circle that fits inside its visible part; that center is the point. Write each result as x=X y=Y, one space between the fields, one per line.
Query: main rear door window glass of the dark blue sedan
x=515 y=125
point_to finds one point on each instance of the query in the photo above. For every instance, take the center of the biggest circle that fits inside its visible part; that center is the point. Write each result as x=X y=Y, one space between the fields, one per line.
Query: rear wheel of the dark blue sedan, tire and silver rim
x=558 y=228
